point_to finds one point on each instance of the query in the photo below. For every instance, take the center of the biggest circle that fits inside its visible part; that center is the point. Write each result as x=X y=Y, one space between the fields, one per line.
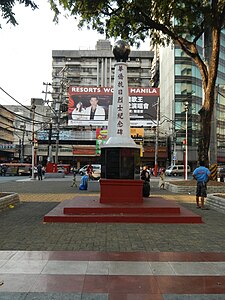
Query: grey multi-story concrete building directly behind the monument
x=86 y=73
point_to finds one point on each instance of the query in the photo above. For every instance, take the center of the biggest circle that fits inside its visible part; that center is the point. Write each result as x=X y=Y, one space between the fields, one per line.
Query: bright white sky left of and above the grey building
x=26 y=50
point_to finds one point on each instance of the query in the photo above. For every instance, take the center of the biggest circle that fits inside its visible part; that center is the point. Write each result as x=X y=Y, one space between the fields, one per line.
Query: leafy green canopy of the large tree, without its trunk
x=134 y=20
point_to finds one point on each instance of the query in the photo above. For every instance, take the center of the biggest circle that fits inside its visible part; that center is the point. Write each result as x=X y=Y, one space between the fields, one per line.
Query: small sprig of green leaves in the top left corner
x=6 y=8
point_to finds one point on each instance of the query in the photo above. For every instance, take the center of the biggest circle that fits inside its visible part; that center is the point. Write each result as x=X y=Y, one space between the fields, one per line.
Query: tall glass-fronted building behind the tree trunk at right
x=181 y=89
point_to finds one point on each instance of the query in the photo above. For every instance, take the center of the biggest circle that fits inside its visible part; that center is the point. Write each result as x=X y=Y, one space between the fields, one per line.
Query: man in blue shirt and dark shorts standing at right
x=202 y=175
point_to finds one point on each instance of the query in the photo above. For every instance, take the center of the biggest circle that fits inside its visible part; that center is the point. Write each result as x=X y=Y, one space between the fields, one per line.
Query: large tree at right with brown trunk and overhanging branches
x=182 y=22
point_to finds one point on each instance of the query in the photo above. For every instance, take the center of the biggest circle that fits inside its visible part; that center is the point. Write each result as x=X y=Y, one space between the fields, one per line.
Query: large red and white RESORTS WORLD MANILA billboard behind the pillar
x=90 y=105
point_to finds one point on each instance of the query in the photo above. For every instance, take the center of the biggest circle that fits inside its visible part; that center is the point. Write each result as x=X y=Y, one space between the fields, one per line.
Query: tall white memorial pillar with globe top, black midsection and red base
x=120 y=177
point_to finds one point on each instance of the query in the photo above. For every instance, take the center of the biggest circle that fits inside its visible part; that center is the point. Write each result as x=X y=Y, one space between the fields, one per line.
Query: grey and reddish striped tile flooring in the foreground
x=94 y=275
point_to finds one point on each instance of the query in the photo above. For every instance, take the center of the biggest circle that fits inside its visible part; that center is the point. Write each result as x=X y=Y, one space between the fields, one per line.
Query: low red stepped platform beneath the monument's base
x=87 y=209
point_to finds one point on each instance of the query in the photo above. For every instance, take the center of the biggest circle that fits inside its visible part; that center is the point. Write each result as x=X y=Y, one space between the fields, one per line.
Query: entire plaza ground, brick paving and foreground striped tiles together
x=22 y=229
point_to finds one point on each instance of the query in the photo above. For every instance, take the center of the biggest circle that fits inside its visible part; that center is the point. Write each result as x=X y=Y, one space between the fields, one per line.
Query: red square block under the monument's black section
x=121 y=191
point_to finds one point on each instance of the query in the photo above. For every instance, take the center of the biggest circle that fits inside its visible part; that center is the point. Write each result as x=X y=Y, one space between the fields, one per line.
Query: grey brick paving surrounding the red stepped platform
x=22 y=227
